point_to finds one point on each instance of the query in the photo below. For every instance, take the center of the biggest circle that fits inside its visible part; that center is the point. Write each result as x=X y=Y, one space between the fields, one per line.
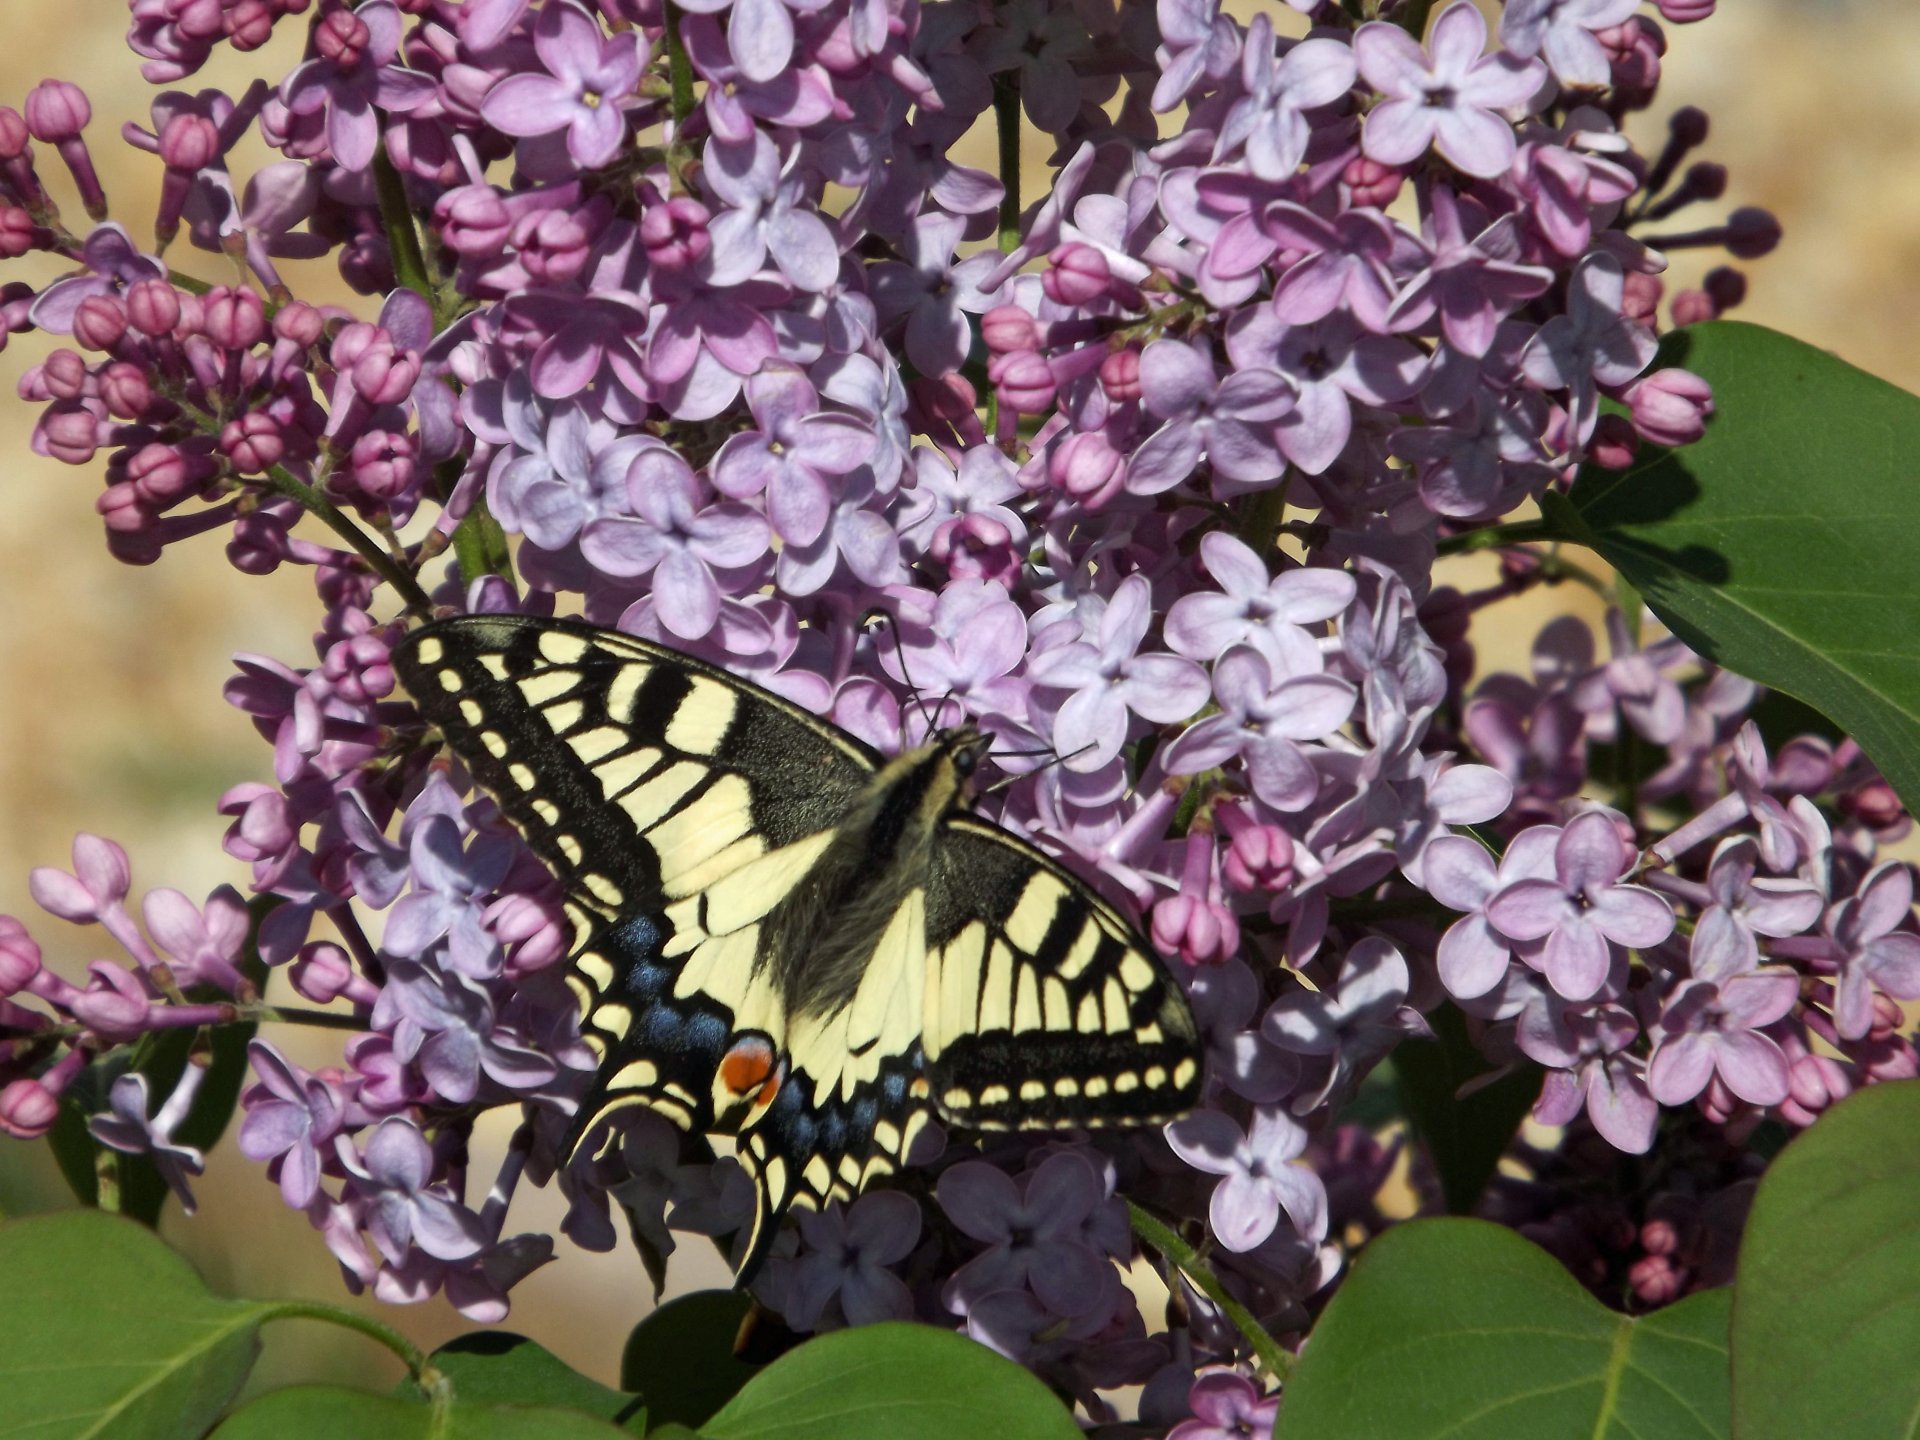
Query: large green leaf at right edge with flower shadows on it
x=1783 y=544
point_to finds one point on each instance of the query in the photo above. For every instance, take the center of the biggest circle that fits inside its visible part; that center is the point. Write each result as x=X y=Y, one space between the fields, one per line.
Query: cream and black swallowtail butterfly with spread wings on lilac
x=786 y=936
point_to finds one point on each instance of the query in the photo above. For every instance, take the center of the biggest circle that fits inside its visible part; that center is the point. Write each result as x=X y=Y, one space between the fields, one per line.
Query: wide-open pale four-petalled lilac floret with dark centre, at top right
x=1445 y=101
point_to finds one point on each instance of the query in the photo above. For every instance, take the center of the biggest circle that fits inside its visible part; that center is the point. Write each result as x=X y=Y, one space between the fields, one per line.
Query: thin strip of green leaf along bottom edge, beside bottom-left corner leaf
x=324 y=1412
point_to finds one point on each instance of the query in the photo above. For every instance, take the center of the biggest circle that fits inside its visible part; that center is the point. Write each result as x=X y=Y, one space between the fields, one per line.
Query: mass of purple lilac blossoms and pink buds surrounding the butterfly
x=690 y=314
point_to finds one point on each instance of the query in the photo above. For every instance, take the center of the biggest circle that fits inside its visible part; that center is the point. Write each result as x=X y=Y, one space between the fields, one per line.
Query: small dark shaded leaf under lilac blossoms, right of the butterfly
x=1466 y=1136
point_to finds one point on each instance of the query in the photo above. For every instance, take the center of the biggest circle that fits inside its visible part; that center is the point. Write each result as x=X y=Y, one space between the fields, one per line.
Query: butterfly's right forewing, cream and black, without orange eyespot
x=1044 y=1007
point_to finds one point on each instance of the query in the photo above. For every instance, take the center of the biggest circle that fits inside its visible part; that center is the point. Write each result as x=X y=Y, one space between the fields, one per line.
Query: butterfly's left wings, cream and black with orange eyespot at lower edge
x=677 y=804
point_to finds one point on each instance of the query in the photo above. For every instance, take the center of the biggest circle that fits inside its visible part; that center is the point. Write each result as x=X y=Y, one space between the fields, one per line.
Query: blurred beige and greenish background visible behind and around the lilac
x=110 y=677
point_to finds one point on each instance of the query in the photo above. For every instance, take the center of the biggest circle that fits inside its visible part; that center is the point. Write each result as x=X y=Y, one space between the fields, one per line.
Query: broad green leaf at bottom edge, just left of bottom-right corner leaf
x=1462 y=1330
